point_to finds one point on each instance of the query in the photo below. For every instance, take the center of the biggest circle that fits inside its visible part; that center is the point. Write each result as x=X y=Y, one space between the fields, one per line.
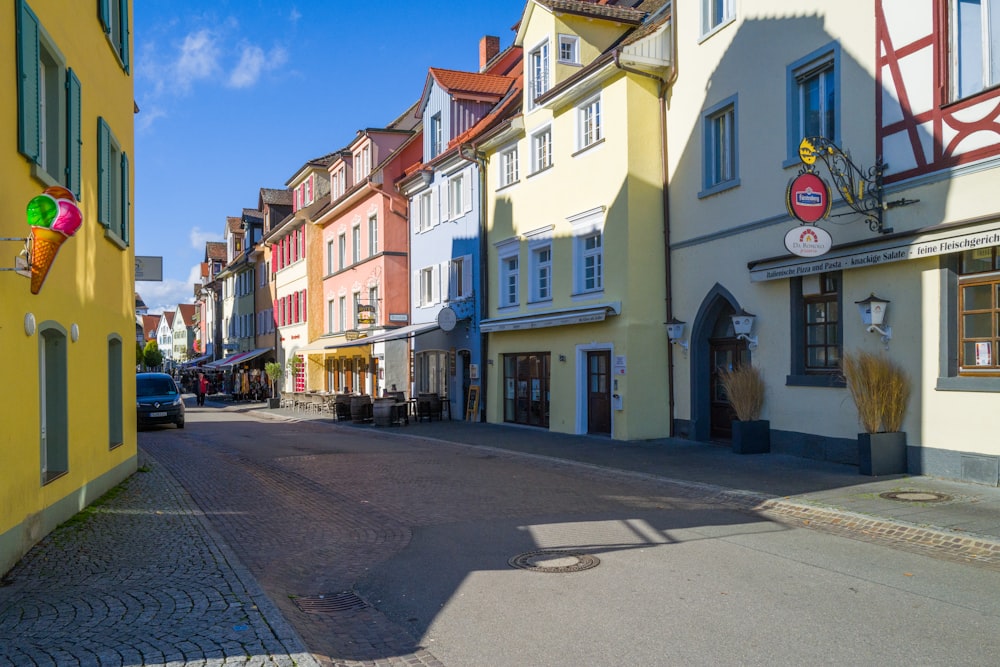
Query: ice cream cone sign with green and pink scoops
x=53 y=217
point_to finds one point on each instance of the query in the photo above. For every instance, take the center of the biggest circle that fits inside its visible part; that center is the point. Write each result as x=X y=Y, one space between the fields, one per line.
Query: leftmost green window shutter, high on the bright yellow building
x=28 y=100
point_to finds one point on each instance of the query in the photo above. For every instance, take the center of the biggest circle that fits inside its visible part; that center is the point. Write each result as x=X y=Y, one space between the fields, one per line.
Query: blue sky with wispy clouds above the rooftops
x=236 y=95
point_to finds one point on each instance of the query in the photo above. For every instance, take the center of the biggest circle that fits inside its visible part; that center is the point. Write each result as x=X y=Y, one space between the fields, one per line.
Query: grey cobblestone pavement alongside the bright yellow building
x=140 y=579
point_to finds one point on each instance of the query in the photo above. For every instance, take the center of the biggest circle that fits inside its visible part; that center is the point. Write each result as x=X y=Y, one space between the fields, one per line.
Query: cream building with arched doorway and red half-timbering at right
x=896 y=81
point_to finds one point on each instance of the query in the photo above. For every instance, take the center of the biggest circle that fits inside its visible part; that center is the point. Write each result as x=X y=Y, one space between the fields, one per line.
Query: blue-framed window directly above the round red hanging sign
x=813 y=104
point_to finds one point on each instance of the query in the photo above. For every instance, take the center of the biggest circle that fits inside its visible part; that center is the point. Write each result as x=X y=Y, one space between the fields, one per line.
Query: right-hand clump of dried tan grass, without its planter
x=880 y=389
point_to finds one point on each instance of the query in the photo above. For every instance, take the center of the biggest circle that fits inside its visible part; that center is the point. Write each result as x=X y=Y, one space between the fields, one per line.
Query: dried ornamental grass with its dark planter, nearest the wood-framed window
x=880 y=389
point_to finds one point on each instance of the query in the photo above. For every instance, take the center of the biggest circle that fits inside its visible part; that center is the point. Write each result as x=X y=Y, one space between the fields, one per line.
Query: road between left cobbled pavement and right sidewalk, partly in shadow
x=408 y=541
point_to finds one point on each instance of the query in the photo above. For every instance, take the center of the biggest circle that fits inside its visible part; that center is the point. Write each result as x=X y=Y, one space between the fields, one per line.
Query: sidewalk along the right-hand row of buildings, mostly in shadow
x=949 y=519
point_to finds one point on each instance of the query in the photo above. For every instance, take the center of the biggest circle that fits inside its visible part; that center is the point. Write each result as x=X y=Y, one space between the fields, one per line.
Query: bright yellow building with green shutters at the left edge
x=68 y=418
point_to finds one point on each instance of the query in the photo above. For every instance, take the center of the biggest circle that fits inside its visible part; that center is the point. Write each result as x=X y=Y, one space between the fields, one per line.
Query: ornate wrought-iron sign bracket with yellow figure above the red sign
x=862 y=190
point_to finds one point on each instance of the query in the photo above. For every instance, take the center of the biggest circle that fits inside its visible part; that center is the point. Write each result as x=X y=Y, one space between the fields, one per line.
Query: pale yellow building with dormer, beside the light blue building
x=575 y=237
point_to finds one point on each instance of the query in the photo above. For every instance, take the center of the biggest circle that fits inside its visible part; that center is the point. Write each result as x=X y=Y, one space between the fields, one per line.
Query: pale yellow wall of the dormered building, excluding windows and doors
x=621 y=177
